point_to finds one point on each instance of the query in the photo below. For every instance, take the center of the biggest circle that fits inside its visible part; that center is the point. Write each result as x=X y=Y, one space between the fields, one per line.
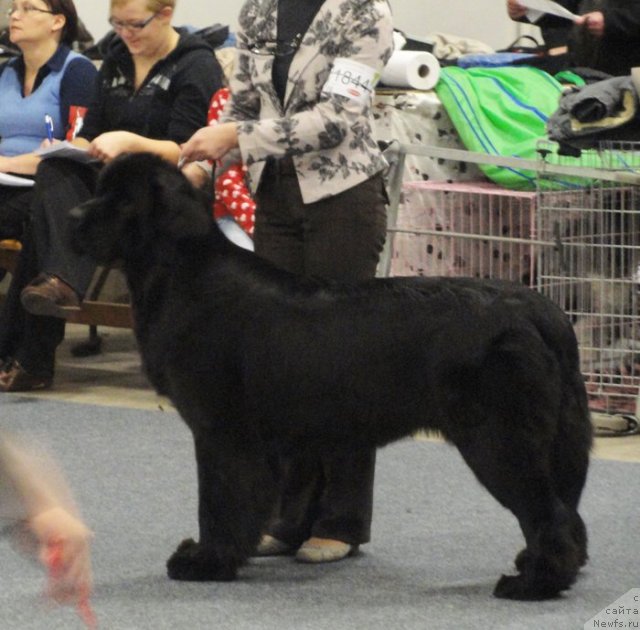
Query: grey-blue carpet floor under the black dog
x=439 y=543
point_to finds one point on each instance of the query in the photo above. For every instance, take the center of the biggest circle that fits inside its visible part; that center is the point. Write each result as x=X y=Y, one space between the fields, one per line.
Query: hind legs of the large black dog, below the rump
x=518 y=475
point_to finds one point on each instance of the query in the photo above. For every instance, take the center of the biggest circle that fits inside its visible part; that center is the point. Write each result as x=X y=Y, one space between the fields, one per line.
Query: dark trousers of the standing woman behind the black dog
x=337 y=238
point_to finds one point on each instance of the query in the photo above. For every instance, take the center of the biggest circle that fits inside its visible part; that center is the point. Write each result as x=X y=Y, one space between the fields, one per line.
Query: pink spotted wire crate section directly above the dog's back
x=464 y=229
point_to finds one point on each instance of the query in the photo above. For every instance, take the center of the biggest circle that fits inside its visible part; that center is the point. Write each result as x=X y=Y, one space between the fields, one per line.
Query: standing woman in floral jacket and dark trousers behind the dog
x=300 y=115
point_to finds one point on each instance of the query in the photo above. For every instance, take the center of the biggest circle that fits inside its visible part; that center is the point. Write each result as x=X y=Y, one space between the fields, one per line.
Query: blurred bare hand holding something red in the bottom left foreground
x=68 y=539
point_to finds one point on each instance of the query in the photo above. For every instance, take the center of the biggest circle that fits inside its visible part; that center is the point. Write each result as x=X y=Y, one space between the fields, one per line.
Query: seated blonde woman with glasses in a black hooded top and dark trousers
x=153 y=93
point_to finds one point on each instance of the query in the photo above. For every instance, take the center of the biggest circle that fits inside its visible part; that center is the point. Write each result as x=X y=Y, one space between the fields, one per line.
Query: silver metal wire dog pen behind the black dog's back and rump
x=576 y=239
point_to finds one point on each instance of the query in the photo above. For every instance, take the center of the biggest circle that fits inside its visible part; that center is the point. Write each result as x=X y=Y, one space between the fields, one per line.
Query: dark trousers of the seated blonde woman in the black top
x=30 y=339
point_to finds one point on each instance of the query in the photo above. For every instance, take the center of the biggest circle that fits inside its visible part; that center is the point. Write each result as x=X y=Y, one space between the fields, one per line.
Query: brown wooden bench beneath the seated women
x=96 y=309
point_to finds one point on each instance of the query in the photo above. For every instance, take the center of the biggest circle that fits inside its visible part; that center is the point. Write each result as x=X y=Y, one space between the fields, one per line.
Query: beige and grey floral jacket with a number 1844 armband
x=327 y=132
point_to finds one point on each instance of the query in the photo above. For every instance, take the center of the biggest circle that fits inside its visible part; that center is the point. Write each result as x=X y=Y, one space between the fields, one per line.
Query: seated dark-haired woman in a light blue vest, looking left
x=48 y=79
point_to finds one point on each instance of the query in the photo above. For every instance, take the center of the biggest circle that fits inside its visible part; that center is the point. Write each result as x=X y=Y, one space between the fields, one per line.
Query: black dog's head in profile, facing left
x=142 y=203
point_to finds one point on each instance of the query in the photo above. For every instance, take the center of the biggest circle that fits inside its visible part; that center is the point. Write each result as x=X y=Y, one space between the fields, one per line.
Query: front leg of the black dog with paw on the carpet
x=236 y=491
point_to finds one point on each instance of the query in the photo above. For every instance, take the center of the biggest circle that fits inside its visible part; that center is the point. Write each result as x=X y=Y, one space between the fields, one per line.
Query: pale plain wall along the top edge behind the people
x=485 y=20
